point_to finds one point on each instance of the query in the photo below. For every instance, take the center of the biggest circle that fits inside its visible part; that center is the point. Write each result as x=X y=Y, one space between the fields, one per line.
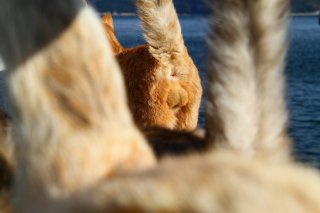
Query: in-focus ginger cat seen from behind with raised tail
x=162 y=82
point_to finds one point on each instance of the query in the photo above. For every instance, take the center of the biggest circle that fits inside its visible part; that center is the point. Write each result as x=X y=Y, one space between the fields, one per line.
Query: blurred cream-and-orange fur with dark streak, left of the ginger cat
x=72 y=126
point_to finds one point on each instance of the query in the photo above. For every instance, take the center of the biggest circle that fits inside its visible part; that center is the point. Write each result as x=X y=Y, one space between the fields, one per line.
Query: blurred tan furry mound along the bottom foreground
x=224 y=183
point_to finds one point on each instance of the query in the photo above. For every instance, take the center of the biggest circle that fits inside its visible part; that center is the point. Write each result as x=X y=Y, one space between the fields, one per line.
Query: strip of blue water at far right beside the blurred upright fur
x=303 y=77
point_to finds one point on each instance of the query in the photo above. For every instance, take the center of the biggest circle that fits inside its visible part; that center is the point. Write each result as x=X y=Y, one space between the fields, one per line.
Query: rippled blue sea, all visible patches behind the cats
x=303 y=74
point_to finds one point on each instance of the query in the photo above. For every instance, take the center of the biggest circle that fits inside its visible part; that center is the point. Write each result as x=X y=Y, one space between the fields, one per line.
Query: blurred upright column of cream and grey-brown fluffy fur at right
x=246 y=108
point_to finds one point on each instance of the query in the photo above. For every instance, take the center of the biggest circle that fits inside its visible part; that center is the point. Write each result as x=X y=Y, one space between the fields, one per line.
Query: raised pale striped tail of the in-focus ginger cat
x=161 y=27
